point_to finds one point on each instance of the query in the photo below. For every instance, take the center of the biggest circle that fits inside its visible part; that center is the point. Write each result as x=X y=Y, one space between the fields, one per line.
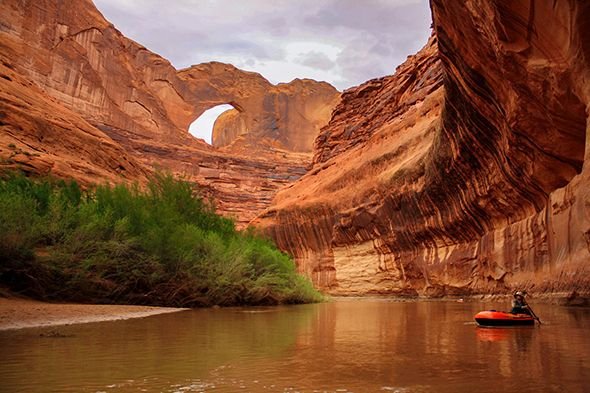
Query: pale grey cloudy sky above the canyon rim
x=343 y=42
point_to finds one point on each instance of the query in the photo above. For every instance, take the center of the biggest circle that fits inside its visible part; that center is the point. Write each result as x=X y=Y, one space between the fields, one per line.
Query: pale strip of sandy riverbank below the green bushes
x=21 y=313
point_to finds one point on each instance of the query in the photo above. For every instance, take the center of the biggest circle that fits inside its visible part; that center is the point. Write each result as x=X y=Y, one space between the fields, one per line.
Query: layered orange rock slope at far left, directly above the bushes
x=39 y=135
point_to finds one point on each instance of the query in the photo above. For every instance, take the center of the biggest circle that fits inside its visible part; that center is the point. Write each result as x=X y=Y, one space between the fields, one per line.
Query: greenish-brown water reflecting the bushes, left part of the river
x=130 y=354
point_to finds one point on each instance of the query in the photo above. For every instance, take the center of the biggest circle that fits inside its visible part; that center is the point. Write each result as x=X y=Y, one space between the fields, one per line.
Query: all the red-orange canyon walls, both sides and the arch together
x=465 y=172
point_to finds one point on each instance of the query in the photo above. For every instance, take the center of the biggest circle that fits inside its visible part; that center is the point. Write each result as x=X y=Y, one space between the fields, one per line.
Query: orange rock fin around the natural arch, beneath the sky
x=286 y=116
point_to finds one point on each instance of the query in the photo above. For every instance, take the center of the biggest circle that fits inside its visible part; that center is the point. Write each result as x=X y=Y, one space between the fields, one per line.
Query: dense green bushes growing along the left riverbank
x=163 y=245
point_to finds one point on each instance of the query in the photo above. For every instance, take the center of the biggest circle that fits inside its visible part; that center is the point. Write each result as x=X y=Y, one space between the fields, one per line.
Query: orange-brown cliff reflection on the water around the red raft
x=369 y=345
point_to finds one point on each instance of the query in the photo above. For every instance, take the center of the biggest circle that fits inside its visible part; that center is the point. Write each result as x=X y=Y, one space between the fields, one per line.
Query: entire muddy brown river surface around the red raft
x=365 y=345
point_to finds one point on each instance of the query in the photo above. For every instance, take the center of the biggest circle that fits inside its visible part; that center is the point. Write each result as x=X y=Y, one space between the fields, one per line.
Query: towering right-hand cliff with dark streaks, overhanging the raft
x=465 y=172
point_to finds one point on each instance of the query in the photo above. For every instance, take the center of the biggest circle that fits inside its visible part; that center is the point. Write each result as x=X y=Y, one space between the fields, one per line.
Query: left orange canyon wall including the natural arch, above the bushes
x=85 y=102
